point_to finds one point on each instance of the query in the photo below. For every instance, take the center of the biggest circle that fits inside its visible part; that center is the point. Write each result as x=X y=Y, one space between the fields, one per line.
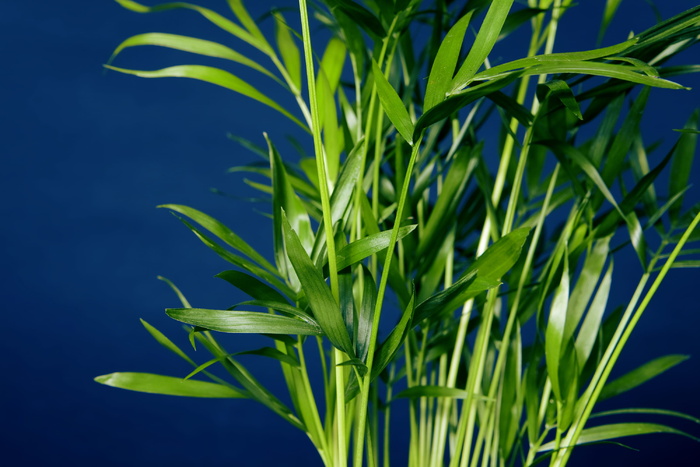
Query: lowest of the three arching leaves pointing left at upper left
x=212 y=75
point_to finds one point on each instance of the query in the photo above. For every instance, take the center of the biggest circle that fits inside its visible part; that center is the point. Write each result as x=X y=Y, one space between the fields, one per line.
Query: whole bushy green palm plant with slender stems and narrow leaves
x=432 y=266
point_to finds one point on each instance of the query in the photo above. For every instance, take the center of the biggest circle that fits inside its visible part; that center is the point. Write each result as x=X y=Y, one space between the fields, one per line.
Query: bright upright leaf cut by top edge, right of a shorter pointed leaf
x=485 y=40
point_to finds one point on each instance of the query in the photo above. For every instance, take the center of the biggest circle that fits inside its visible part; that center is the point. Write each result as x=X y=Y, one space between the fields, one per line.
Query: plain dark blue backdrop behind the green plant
x=88 y=155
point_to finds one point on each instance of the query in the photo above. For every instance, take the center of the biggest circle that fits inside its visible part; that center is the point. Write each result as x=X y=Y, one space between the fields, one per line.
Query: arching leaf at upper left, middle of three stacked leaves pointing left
x=192 y=45
